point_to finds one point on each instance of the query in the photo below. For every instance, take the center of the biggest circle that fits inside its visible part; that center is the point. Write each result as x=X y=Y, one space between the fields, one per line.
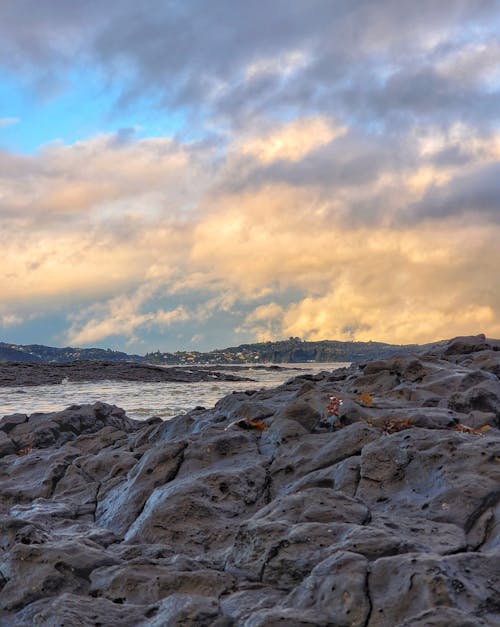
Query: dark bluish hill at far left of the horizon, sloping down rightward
x=37 y=353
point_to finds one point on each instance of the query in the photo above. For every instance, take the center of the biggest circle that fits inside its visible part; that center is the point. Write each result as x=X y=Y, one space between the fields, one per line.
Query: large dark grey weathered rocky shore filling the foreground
x=367 y=496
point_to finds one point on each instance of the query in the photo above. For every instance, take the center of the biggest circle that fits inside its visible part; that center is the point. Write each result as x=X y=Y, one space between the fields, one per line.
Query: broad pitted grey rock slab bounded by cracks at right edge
x=439 y=475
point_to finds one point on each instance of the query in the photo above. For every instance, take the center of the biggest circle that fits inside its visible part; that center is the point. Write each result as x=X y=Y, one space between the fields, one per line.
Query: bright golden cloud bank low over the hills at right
x=414 y=284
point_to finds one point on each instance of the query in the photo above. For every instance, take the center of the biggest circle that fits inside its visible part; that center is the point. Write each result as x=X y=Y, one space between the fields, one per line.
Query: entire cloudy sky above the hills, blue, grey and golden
x=189 y=175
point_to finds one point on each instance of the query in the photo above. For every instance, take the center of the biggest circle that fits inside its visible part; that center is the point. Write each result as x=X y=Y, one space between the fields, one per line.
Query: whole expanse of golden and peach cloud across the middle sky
x=151 y=214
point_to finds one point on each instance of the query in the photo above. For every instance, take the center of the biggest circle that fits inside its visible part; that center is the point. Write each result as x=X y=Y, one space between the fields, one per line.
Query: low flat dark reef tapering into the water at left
x=21 y=374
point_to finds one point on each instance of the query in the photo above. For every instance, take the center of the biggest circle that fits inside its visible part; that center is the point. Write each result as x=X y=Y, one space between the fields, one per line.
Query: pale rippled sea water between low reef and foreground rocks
x=143 y=400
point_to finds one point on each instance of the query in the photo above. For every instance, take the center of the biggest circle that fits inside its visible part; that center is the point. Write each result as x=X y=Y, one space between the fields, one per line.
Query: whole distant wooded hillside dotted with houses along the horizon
x=293 y=350
